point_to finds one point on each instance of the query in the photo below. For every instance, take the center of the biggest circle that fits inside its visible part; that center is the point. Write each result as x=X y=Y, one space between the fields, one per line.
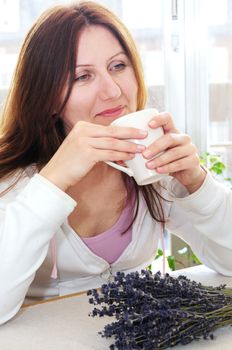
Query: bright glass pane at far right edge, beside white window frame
x=219 y=35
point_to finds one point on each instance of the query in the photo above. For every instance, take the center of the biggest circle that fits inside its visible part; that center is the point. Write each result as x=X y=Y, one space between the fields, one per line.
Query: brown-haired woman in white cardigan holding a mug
x=68 y=221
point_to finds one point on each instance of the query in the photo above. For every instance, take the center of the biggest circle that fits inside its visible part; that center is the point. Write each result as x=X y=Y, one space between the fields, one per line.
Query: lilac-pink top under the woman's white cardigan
x=110 y=244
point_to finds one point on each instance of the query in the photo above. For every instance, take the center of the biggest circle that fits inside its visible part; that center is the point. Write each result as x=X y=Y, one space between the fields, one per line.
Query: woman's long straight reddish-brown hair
x=30 y=131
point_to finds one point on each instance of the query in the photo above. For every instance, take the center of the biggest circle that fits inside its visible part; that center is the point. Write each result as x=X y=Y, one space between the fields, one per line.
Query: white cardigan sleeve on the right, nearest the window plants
x=203 y=219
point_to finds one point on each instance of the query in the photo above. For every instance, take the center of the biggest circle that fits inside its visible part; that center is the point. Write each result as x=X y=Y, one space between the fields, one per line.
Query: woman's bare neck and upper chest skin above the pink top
x=101 y=198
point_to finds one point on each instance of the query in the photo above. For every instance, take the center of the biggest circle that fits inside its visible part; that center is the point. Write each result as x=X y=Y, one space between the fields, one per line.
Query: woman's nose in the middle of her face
x=109 y=88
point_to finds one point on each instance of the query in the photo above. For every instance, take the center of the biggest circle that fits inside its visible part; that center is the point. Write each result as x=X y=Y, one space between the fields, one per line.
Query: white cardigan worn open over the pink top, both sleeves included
x=36 y=210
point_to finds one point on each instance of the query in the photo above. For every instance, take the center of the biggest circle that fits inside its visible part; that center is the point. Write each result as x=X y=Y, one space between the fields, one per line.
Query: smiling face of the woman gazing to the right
x=105 y=86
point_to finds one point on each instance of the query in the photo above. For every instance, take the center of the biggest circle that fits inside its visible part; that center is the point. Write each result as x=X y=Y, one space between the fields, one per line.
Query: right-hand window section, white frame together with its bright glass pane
x=207 y=42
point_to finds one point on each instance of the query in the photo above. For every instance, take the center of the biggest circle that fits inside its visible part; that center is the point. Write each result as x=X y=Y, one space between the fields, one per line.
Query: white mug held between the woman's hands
x=136 y=167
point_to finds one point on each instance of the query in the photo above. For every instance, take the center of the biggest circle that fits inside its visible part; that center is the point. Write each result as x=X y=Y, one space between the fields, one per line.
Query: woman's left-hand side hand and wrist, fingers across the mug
x=85 y=146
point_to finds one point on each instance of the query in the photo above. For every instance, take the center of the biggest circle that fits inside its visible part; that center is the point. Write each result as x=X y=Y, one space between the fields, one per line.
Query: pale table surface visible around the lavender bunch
x=65 y=324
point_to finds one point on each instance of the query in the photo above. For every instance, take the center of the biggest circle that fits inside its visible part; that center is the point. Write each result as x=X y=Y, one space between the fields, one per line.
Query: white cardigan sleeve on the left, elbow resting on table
x=28 y=221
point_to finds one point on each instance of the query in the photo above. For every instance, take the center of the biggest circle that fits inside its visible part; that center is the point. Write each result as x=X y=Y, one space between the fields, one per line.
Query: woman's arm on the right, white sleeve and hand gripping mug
x=203 y=218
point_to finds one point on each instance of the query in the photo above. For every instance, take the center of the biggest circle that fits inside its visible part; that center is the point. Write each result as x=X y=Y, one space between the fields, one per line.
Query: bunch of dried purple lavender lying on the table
x=156 y=312
